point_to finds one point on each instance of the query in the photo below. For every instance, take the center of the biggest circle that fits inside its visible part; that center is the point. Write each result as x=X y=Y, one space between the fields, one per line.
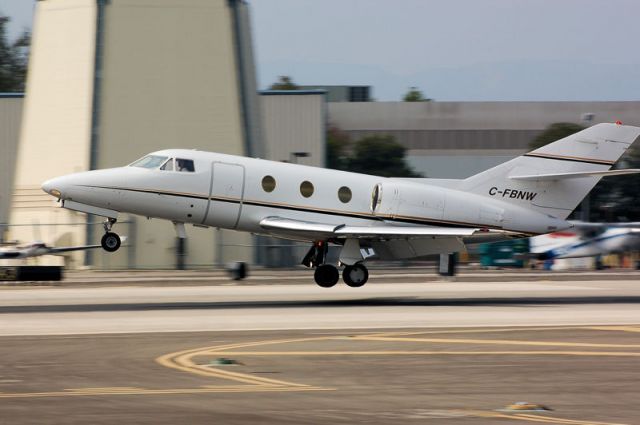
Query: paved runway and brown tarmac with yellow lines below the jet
x=440 y=352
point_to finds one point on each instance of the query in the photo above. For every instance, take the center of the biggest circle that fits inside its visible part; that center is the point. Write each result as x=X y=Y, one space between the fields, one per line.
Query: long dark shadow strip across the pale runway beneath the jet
x=364 y=302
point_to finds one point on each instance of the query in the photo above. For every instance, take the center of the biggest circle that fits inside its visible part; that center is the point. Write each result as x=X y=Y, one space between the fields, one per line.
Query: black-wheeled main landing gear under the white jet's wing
x=327 y=275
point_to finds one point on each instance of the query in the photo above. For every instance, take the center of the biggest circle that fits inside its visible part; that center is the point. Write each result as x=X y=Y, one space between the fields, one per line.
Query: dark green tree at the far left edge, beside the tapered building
x=13 y=59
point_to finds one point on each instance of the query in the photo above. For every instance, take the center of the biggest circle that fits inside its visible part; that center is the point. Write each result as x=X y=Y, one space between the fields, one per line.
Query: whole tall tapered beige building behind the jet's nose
x=110 y=81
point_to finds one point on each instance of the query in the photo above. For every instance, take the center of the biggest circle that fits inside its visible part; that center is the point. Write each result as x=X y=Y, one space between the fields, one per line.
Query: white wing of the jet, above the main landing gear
x=383 y=231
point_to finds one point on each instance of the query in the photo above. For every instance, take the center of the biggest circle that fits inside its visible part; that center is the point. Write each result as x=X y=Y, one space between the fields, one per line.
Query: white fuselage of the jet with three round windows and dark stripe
x=234 y=192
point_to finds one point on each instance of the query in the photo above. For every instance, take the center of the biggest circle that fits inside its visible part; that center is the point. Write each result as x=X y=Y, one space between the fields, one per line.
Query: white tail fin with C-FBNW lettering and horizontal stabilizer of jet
x=555 y=178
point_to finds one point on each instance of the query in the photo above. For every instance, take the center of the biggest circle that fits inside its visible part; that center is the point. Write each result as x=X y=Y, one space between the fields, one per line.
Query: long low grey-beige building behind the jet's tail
x=459 y=139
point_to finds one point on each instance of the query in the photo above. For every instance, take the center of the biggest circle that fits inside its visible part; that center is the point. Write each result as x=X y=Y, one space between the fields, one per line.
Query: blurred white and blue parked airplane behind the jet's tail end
x=587 y=240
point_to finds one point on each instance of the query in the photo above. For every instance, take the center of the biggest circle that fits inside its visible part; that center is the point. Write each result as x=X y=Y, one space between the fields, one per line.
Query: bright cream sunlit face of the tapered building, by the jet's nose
x=56 y=124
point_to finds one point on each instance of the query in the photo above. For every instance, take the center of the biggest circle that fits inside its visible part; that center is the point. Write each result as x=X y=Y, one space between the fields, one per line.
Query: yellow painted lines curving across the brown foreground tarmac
x=189 y=361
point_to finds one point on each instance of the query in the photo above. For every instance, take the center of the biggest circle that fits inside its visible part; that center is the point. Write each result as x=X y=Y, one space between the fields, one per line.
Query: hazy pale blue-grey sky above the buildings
x=455 y=50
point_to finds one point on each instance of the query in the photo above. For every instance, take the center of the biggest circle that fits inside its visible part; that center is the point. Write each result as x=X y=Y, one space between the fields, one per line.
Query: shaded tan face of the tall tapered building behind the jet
x=170 y=80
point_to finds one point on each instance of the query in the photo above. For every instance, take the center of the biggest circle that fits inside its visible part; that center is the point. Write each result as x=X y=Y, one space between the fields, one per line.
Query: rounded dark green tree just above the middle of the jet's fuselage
x=380 y=156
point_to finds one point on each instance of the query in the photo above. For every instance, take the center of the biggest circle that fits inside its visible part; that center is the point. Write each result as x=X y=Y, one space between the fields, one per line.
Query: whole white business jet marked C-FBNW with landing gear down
x=393 y=217
